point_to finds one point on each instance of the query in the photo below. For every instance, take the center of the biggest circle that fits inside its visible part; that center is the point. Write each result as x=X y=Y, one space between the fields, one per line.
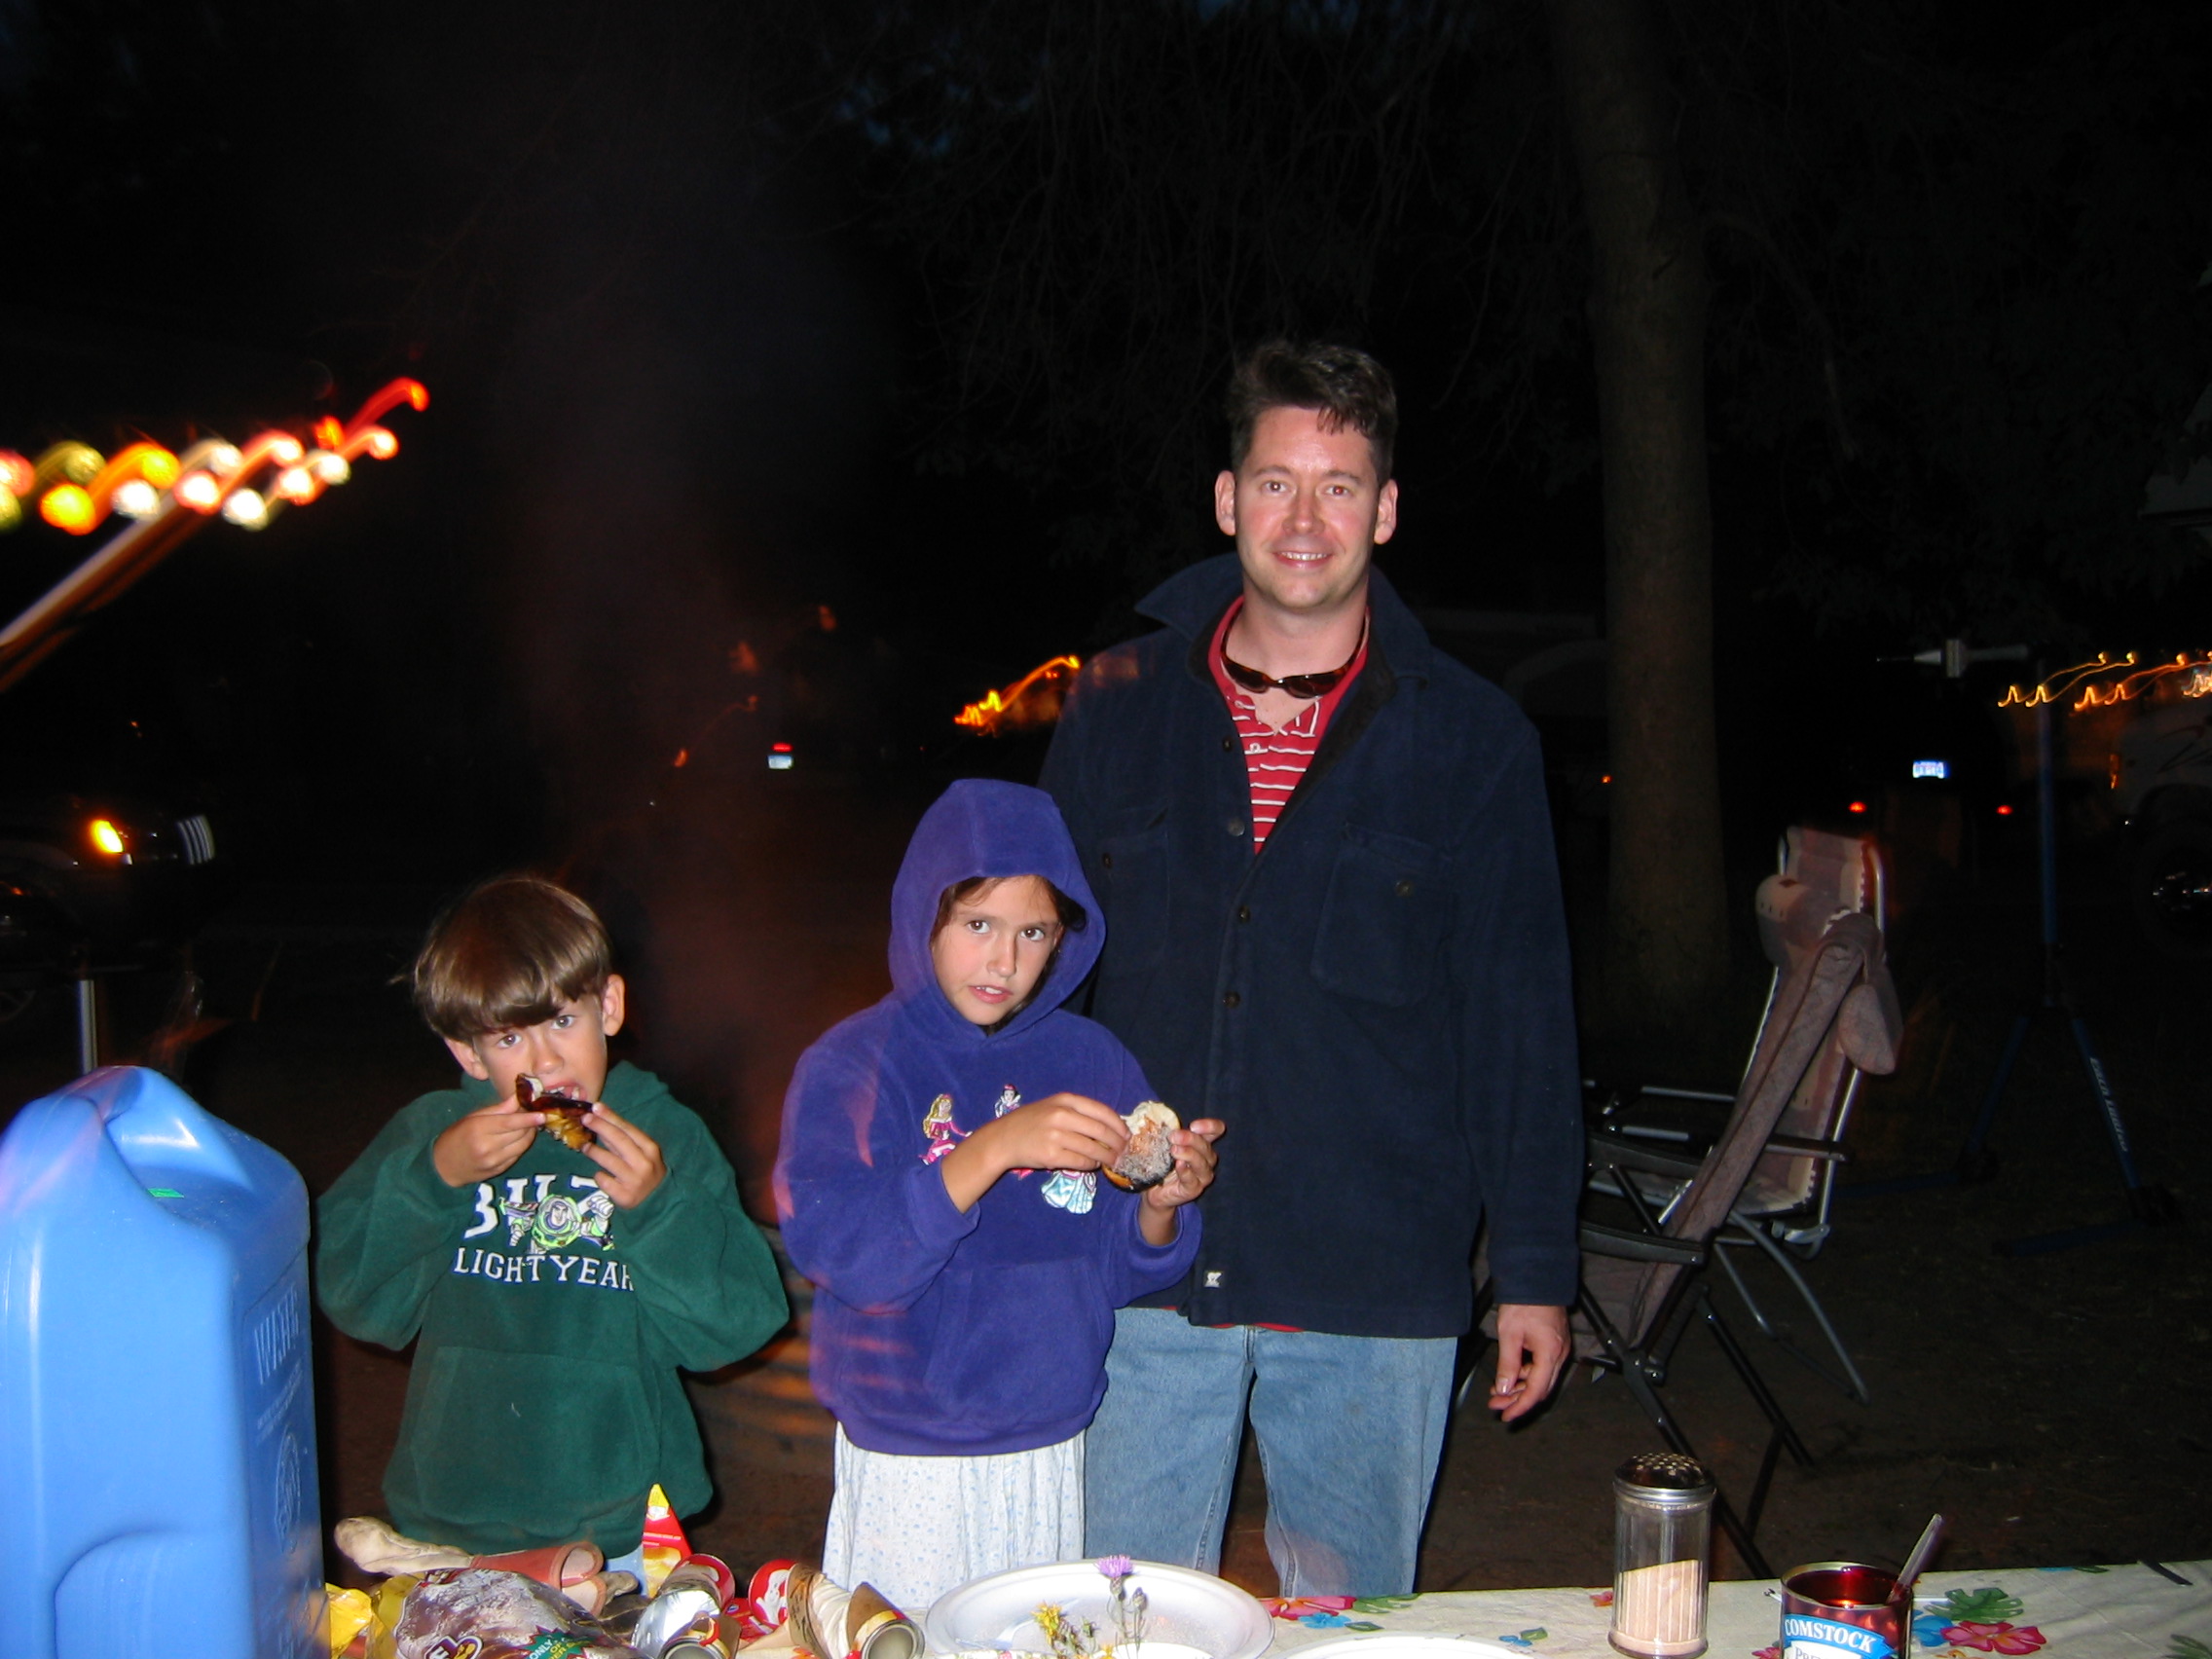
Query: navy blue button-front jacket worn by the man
x=1377 y=1005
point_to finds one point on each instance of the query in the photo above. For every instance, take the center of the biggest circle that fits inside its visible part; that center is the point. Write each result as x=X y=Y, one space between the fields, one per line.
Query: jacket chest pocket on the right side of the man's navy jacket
x=1384 y=919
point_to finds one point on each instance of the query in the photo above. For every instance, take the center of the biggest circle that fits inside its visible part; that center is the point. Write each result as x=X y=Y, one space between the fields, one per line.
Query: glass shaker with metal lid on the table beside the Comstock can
x=1662 y=1525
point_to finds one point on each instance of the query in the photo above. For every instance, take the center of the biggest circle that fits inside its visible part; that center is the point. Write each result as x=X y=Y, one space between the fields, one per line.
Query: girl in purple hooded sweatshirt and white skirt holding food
x=941 y=1187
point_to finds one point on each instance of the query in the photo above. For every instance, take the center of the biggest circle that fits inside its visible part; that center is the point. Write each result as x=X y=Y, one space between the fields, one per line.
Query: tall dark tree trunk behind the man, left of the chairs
x=1667 y=943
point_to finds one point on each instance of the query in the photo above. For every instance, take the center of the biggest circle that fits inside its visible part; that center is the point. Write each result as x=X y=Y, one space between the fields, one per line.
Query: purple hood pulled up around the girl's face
x=988 y=828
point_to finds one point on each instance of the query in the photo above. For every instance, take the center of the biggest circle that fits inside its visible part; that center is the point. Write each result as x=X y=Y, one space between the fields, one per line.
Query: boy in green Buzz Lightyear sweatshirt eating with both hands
x=552 y=1293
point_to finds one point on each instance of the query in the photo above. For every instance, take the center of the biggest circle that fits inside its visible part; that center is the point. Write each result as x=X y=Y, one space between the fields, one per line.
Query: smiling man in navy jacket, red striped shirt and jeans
x=1333 y=919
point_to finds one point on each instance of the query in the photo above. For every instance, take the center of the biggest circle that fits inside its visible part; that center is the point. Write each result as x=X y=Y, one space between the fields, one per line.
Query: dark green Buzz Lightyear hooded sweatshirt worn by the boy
x=547 y=1324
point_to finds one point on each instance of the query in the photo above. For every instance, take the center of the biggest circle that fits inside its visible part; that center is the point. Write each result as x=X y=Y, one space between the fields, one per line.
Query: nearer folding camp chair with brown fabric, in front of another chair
x=1642 y=1284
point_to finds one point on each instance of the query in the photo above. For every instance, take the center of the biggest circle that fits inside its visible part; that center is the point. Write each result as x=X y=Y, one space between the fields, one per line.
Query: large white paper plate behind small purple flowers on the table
x=1191 y=1616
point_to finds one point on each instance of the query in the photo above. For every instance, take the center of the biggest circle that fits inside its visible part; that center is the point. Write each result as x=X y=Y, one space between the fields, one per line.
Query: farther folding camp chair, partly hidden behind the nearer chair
x=1784 y=1211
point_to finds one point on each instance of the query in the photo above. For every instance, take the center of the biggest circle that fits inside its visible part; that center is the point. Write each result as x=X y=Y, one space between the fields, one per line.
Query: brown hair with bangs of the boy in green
x=510 y=954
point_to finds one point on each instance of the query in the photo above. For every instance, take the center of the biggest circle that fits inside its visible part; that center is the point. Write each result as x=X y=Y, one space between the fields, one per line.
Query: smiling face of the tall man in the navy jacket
x=1306 y=512
